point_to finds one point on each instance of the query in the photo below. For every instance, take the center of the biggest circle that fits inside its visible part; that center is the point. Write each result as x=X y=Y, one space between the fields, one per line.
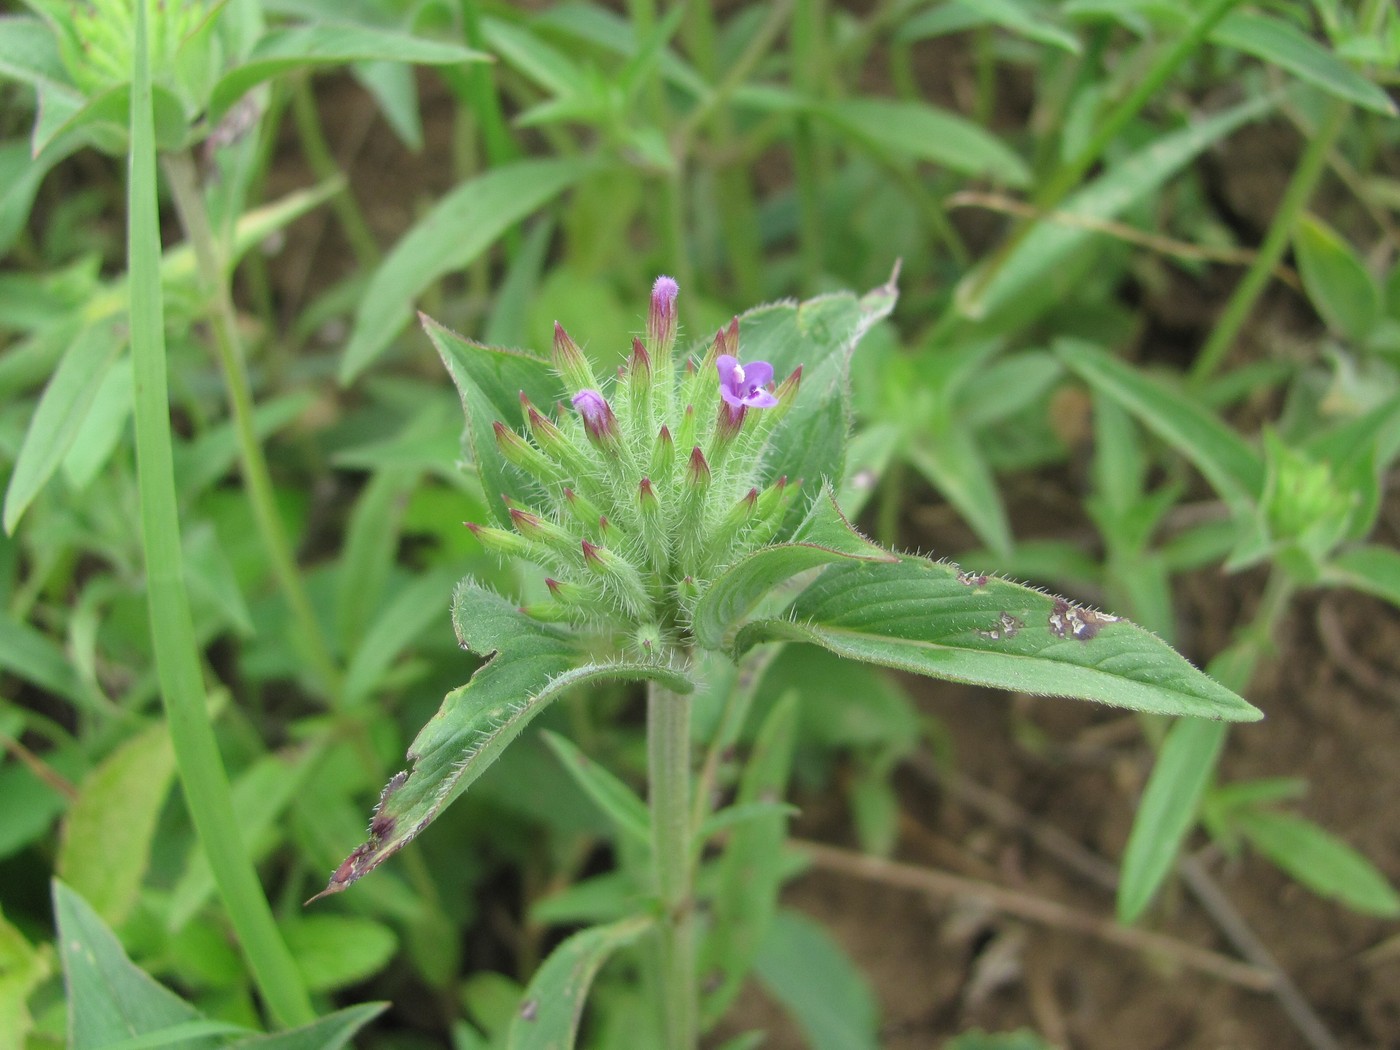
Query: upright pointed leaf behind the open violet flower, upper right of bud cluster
x=821 y=337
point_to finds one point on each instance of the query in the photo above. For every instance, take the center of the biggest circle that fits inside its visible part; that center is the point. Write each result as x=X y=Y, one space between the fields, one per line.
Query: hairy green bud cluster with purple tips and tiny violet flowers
x=647 y=486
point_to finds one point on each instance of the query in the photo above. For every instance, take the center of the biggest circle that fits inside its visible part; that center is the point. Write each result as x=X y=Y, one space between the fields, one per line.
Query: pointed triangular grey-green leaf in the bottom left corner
x=110 y=999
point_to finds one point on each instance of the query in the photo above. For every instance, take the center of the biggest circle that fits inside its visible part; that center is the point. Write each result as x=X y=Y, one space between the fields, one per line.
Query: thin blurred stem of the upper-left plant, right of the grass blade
x=190 y=204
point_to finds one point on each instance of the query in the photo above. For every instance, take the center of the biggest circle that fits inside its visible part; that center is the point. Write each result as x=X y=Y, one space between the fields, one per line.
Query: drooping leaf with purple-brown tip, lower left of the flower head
x=530 y=664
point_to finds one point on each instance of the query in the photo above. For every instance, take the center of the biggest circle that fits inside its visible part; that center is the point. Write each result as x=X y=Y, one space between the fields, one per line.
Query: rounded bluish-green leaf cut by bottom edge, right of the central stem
x=806 y=971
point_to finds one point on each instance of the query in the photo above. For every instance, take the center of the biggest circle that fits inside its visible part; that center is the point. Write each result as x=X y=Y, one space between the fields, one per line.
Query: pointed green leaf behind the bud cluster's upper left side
x=491 y=381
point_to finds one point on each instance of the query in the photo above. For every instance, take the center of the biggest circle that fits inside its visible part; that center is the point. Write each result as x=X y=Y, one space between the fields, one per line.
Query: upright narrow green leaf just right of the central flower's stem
x=751 y=870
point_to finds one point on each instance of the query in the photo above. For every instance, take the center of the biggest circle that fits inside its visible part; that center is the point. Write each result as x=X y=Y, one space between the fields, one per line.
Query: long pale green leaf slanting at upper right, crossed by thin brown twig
x=1032 y=272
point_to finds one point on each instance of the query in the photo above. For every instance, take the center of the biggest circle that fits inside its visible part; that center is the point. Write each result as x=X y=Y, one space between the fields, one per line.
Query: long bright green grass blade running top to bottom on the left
x=173 y=633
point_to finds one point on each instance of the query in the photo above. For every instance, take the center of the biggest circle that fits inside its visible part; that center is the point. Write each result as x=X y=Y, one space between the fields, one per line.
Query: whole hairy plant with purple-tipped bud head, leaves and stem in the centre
x=685 y=517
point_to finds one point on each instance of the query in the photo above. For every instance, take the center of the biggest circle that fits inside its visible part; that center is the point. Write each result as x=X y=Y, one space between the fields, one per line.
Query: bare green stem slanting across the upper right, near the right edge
x=1276 y=241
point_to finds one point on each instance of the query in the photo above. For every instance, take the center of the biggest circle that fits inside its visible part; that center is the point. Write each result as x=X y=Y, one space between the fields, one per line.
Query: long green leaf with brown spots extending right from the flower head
x=933 y=619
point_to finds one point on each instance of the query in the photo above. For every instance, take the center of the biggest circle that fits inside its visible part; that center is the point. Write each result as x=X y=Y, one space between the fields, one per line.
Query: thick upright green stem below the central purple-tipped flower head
x=668 y=775
